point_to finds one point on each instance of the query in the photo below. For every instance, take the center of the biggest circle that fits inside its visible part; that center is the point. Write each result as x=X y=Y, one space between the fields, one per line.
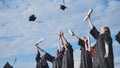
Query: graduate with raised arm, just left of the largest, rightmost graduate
x=86 y=59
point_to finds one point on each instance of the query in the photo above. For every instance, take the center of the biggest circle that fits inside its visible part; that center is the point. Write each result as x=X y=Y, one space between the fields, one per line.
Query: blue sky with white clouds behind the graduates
x=18 y=35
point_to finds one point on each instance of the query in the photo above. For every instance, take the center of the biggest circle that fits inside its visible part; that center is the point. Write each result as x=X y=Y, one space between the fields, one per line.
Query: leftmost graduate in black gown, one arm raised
x=41 y=61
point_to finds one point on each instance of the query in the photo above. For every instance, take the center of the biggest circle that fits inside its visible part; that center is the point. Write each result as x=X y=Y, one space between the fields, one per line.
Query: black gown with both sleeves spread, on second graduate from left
x=56 y=61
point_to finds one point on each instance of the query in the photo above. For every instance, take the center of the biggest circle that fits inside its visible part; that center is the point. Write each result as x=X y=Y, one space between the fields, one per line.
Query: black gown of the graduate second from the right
x=86 y=60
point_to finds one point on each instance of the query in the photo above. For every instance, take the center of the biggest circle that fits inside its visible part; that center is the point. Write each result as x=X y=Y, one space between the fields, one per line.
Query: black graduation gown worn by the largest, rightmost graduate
x=100 y=61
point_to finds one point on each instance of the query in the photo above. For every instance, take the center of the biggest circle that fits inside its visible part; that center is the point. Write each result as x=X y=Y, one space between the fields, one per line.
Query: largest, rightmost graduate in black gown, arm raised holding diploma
x=104 y=49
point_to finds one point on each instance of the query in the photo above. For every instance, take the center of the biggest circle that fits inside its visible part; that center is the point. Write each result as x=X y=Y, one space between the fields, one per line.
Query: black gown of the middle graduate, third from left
x=68 y=61
